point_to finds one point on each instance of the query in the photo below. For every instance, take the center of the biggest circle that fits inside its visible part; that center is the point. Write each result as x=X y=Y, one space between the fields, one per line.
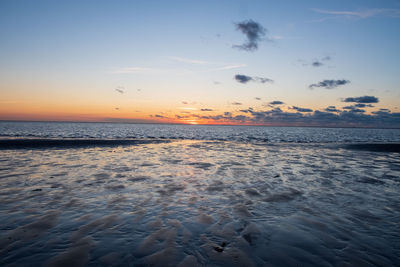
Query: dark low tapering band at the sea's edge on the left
x=72 y=143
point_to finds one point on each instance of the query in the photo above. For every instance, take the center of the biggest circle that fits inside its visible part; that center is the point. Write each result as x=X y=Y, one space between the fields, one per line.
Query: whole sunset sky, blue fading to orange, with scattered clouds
x=280 y=63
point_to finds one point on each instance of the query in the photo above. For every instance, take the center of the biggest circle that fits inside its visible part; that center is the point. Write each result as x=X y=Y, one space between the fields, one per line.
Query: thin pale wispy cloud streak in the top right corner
x=361 y=13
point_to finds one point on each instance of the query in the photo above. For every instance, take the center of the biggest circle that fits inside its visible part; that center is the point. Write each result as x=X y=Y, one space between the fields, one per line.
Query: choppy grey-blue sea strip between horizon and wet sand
x=197 y=132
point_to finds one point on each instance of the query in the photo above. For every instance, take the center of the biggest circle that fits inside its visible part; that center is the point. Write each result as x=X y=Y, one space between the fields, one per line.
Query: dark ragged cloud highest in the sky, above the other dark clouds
x=254 y=33
